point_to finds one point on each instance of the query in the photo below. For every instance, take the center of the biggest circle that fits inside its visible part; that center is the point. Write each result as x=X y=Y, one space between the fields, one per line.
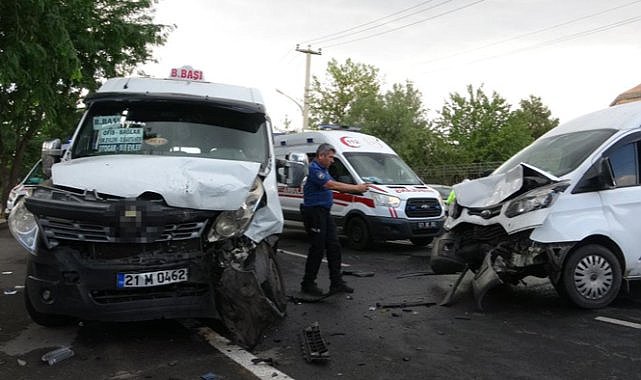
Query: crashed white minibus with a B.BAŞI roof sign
x=164 y=206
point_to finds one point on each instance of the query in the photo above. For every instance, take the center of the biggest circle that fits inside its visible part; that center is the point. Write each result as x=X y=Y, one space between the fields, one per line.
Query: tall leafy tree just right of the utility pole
x=350 y=92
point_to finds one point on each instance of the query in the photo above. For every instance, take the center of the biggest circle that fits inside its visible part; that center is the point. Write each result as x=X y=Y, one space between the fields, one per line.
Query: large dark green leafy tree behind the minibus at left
x=53 y=52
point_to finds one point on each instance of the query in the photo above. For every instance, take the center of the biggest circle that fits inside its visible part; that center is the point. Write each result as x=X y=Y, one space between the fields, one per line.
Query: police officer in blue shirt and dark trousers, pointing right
x=320 y=226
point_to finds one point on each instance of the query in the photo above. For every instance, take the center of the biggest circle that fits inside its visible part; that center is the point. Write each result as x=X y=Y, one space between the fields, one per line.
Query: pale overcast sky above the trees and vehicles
x=576 y=55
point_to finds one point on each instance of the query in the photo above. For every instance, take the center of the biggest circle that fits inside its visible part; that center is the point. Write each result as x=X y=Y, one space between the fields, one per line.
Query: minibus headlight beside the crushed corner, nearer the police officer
x=234 y=223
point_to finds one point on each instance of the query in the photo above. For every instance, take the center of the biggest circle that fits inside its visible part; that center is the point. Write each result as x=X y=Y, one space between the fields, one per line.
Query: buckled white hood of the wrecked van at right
x=492 y=190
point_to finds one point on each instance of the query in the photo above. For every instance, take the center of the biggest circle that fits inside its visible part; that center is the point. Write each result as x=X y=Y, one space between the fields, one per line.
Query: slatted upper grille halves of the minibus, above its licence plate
x=55 y=228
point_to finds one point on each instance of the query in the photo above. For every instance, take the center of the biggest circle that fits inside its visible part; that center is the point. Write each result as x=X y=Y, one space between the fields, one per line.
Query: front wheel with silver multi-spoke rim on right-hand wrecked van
x=592 y=277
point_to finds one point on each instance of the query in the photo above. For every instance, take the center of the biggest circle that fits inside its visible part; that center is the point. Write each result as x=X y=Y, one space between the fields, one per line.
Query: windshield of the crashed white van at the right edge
x=561 y=154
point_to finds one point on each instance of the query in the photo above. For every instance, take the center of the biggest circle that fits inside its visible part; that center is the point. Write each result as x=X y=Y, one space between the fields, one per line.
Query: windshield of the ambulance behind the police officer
x=382 y=168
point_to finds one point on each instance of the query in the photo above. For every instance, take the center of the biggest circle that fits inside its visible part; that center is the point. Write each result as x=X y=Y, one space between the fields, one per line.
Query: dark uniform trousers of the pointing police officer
x=321 y=229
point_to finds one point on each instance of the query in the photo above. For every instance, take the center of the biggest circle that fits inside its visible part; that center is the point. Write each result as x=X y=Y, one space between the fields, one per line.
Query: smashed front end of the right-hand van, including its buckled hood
x=490 y=235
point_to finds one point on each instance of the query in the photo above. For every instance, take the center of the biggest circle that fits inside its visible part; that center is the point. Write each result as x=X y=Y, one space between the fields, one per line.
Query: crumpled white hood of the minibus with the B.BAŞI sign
x=198 y=183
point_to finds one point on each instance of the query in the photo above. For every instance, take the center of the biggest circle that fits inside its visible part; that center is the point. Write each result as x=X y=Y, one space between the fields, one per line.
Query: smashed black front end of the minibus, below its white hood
x=109 y=258
